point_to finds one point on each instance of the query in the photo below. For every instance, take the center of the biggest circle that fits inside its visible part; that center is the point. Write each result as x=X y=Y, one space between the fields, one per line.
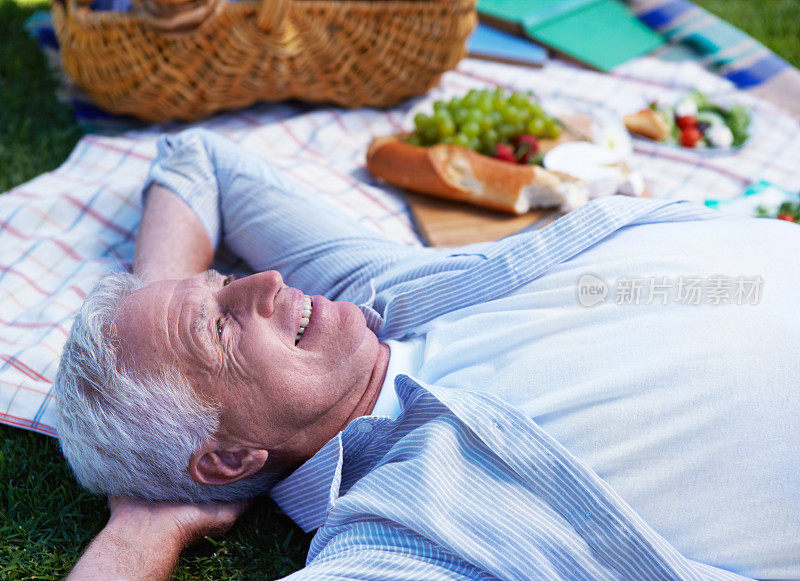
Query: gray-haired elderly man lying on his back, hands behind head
x=492 y=411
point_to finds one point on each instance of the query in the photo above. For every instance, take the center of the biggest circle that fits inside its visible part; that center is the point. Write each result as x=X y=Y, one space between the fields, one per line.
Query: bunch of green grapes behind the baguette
x=481 y=119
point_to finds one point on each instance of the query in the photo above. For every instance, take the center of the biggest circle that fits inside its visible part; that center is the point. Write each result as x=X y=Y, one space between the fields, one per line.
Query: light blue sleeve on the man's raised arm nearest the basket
x=271 y=221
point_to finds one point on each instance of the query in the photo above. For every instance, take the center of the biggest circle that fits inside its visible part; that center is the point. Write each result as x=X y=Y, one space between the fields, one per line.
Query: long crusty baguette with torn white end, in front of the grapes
x=457 y=173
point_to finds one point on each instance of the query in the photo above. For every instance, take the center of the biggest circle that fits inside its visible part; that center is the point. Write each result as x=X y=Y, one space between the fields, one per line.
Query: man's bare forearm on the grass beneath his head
x=142 y=541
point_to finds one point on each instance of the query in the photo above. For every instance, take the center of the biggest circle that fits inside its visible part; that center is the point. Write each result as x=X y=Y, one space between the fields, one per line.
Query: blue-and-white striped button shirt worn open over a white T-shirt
x=461 y=485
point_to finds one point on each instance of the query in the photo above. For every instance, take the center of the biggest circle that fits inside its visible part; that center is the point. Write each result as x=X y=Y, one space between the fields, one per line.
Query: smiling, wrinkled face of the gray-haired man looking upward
x=234 y=342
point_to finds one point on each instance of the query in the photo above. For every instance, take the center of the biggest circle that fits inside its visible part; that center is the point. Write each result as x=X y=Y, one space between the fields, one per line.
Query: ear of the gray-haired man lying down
x=221 y=463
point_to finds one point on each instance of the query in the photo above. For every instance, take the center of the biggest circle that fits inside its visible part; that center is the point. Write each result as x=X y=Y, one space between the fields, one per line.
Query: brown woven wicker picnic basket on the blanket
x=186 y=59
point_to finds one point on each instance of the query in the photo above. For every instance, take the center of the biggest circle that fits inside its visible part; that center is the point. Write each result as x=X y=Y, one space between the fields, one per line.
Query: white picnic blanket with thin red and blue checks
x=62 y=230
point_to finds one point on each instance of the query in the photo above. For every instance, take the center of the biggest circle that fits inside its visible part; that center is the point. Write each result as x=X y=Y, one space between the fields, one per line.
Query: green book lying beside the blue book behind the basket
x=599 y=33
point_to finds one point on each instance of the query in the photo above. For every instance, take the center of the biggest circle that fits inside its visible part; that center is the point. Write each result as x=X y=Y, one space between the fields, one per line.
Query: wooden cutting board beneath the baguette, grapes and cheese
x=446 y=223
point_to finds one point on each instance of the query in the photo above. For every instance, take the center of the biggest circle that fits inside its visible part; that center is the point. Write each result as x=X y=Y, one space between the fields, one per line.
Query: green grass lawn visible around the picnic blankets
x=45 y=519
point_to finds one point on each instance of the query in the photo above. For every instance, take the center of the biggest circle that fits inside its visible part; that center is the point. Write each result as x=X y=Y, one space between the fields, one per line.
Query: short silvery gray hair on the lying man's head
x=129 y=432
